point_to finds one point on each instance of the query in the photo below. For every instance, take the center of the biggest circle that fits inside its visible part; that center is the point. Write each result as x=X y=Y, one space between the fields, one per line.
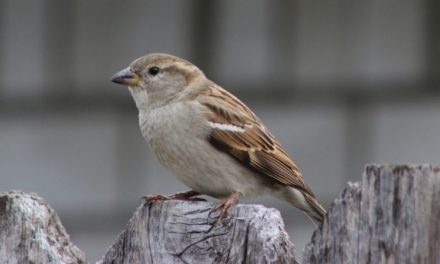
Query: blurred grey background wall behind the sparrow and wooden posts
x=340 y=83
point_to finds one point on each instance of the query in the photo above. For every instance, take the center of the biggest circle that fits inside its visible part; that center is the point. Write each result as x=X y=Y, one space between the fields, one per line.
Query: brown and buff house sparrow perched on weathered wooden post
x=209 y=139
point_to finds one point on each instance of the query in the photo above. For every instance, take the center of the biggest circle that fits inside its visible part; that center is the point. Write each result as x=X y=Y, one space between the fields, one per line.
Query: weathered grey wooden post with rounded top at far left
x=31 y=232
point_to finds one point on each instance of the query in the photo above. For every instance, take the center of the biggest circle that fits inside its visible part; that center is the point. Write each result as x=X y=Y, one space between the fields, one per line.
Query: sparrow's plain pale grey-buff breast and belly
x=178 y=137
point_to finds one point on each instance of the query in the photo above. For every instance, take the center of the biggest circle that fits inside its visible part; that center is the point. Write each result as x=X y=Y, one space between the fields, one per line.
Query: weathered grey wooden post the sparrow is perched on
x=183 y=232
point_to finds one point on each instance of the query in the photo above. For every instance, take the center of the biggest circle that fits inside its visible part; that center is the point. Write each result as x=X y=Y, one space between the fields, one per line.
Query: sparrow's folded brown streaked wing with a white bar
x=238 y=132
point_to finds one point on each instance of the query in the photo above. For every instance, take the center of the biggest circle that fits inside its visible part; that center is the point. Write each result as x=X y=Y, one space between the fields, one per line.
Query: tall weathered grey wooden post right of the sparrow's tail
x=392 y=217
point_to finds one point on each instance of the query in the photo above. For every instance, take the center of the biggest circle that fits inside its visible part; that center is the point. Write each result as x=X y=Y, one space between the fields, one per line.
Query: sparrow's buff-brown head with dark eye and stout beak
x=157 y=78
